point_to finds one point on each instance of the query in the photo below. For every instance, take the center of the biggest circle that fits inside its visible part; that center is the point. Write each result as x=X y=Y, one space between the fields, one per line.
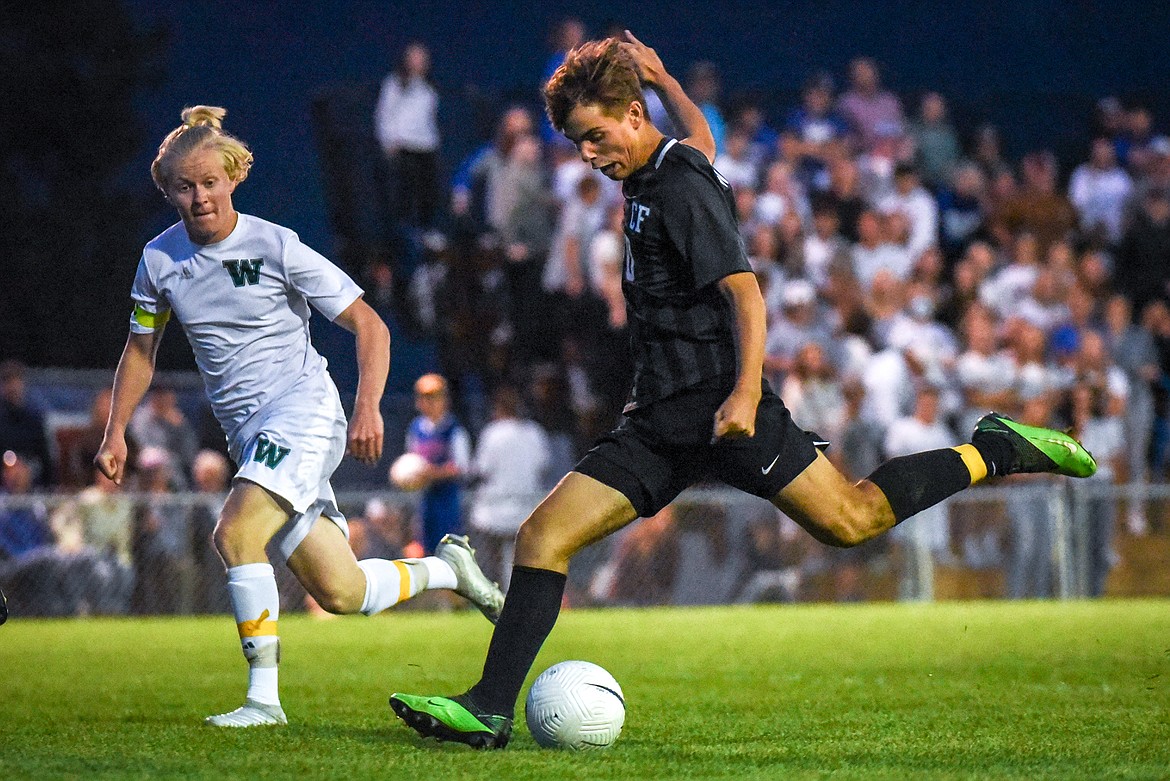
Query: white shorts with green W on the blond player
x=292 y=450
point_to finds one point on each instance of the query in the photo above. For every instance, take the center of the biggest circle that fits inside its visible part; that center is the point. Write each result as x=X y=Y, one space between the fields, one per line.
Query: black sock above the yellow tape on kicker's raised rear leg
x=924 y=480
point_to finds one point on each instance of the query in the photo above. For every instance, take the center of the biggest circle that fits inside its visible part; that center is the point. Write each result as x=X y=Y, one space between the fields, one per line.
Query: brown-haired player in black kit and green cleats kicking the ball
x=699 y=409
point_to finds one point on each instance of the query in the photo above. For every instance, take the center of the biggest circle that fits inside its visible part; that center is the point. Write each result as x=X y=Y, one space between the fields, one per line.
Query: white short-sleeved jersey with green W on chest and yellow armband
x=244 y=303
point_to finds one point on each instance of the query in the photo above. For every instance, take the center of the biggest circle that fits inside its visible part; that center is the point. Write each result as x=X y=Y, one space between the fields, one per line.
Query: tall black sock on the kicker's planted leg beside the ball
x=529 y=614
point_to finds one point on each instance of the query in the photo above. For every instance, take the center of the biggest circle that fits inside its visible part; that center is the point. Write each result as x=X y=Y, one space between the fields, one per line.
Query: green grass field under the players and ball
x=884 y=692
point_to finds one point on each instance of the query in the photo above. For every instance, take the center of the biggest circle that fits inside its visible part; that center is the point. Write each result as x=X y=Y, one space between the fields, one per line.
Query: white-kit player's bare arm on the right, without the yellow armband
x=367 y=427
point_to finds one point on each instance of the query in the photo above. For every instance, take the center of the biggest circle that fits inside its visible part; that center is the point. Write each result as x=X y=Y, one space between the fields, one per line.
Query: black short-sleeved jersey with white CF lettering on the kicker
x=682 y=239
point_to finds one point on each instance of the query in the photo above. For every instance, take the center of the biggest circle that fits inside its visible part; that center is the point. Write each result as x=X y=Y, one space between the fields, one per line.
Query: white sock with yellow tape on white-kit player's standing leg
x=257 y=605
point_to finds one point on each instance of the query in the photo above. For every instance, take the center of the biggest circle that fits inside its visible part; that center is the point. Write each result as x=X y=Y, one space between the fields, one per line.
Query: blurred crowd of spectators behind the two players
x=914 y=278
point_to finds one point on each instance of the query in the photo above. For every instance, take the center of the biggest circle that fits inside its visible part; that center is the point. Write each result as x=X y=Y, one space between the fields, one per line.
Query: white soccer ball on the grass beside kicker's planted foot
x=575 y=706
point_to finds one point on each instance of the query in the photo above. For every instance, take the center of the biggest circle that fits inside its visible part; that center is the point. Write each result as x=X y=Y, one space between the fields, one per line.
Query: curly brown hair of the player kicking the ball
x=597 y=73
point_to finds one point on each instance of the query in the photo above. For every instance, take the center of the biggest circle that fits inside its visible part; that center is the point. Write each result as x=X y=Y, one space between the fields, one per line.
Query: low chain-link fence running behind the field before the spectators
x=112 y=554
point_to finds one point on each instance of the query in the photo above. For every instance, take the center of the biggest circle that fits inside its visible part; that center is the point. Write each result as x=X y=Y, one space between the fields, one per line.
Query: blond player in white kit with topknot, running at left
x=242 y=288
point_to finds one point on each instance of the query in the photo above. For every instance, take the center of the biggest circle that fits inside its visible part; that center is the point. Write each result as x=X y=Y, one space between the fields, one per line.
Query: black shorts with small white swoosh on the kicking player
x=658 y=452
